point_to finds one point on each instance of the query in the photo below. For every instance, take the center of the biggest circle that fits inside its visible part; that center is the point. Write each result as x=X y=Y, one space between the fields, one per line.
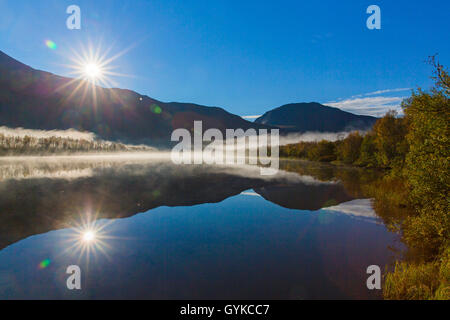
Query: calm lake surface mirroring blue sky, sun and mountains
x=187 y=232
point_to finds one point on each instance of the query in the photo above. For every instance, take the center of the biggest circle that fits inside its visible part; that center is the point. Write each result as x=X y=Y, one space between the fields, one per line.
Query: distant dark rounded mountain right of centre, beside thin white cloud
x=302 y=117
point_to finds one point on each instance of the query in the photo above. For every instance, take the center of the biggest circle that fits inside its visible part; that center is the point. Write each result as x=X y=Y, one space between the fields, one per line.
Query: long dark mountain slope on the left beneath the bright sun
x=36 y=99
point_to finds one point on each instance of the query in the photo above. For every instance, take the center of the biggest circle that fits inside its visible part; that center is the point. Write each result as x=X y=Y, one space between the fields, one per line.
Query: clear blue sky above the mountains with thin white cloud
x=245 y=56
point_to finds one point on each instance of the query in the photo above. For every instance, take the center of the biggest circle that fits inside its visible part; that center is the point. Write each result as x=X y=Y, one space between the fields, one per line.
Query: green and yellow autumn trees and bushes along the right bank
x=414 y=150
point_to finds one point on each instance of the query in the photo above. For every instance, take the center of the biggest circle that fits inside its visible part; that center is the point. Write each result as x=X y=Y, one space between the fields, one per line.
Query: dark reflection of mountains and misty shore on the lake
x=38 y=196
